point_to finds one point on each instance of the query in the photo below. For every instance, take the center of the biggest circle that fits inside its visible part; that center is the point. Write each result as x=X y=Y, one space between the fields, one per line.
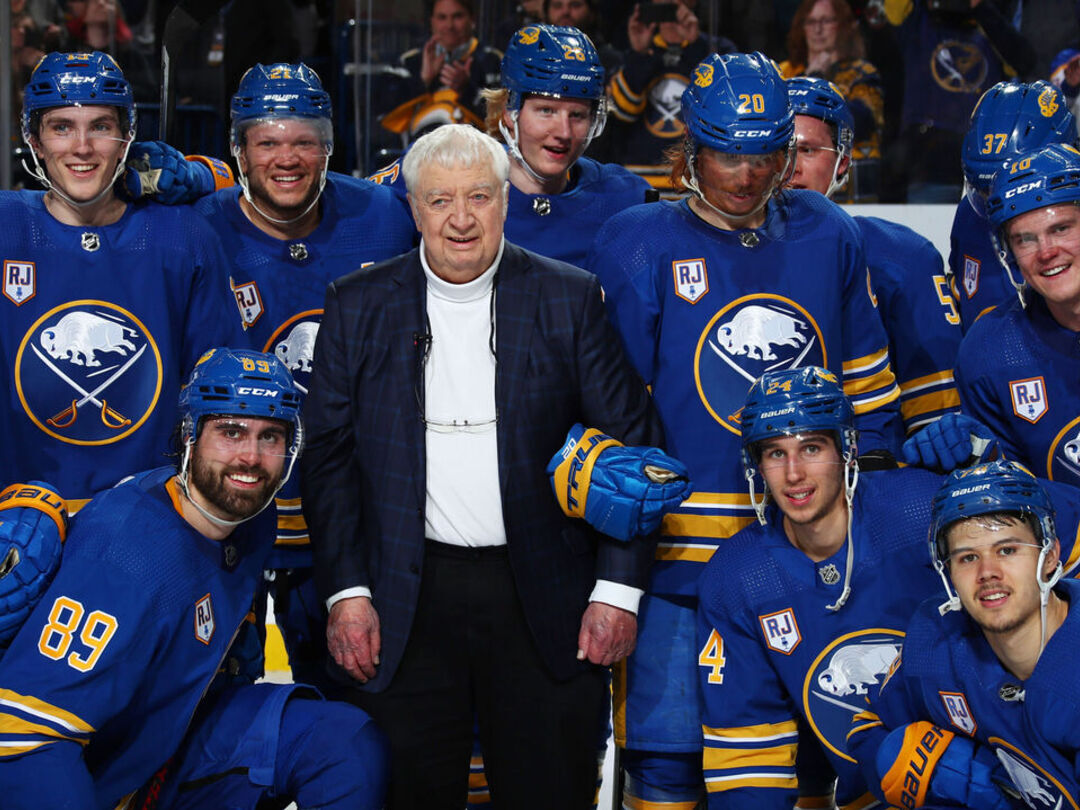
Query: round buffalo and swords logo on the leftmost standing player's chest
x=88 y=373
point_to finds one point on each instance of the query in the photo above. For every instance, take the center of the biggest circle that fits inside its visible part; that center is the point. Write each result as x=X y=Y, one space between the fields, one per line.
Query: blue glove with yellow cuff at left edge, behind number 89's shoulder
x=33 y=528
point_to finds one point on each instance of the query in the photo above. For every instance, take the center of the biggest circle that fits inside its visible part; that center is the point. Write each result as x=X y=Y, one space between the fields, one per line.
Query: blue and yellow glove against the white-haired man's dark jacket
x=623 y=492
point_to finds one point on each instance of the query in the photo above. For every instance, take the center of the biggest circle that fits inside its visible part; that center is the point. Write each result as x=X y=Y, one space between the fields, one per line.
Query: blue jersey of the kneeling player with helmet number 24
x=773 y=658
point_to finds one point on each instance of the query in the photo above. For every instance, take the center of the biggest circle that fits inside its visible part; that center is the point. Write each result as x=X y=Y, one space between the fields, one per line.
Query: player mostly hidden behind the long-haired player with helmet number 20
x=907 y=272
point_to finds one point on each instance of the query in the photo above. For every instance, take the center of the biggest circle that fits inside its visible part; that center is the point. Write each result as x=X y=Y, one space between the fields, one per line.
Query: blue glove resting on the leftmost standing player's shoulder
x=157 y=170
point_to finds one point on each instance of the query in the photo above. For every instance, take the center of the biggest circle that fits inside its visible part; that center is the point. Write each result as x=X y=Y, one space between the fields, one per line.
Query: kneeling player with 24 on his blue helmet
x=800 y=616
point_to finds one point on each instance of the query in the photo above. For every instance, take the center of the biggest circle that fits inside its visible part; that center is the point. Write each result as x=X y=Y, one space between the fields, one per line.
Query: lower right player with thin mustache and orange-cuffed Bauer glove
x=980 y=710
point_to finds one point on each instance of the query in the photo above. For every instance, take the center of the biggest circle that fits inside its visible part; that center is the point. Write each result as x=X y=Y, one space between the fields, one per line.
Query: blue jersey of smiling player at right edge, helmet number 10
x=1018 y=373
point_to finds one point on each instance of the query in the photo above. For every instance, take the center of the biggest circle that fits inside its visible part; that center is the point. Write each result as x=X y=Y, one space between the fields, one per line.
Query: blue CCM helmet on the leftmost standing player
x=78 y=80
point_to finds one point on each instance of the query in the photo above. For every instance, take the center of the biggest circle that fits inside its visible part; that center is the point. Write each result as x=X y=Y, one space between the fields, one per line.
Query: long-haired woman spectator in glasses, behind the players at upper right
x=825 y=42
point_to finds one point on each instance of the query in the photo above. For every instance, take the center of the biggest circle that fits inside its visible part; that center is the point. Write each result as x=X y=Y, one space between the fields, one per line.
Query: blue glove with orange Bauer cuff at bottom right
x=923 y=765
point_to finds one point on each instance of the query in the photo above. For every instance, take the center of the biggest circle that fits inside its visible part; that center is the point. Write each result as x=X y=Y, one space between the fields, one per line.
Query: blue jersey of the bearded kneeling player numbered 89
x=103 y=680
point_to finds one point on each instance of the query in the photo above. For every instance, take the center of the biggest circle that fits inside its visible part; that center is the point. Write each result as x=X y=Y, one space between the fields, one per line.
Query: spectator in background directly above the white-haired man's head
x=447 y=75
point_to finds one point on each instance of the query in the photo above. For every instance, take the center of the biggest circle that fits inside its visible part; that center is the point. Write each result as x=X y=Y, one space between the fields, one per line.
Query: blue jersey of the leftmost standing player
x=101 y=327
